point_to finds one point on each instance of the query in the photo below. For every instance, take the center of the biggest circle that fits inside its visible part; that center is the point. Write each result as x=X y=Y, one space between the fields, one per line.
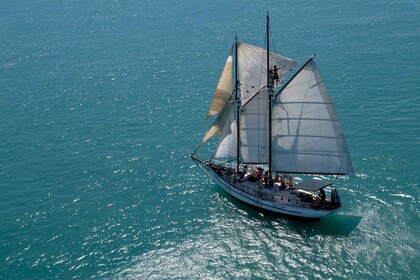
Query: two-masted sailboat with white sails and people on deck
x=273 y=131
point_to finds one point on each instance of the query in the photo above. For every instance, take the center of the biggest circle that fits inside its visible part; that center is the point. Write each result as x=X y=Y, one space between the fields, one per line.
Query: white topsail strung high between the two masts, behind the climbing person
x=252 y=63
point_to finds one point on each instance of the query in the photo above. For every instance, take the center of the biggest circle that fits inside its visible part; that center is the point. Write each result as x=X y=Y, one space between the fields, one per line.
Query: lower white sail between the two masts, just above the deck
x=254 y=129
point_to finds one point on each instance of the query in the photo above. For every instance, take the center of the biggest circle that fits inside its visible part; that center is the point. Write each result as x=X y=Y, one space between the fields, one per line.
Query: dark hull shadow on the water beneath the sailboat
x=336 y=225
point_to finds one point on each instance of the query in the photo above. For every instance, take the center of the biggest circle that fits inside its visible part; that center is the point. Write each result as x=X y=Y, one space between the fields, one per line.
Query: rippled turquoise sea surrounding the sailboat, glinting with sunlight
x=102 y=102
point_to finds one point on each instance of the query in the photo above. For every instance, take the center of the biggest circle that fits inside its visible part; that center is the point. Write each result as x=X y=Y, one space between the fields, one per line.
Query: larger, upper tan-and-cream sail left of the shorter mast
x=223 y=90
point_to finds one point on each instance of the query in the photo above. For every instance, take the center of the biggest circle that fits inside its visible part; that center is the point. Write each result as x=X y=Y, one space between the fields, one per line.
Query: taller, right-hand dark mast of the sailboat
x=270 y=94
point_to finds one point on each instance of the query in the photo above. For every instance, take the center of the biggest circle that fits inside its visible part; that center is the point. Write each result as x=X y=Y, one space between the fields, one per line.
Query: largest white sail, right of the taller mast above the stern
x=307 y=136
